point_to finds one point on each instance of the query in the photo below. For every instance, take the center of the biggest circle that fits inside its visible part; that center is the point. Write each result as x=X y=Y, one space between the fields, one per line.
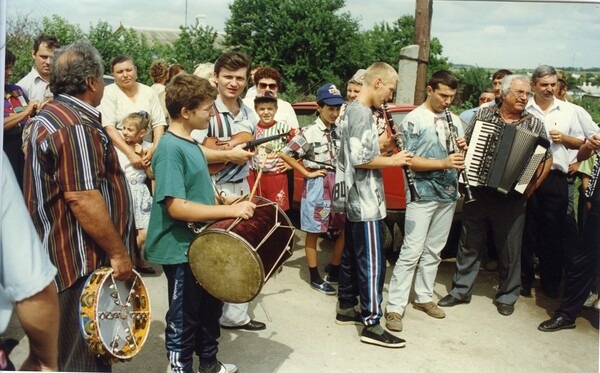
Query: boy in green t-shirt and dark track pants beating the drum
x=184 y=193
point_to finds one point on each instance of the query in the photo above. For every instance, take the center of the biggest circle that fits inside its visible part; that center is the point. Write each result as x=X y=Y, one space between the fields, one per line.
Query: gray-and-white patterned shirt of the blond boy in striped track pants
x=358 y=192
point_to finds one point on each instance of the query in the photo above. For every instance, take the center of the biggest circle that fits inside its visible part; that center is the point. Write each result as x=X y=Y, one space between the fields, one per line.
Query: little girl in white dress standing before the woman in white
x=135 y=127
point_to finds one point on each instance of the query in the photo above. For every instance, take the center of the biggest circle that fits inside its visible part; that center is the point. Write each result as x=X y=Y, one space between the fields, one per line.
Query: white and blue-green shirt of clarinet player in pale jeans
x=428 y=136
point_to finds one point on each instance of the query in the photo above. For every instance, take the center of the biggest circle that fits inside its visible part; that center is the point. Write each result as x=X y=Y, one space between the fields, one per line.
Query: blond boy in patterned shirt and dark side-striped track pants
x=359 y=192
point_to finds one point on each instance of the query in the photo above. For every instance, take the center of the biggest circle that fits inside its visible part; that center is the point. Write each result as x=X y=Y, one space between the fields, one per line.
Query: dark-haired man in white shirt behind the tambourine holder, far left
x=35 y=85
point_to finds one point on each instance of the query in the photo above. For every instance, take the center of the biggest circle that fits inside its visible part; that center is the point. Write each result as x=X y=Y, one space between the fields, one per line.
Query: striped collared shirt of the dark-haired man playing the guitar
x=223 y=126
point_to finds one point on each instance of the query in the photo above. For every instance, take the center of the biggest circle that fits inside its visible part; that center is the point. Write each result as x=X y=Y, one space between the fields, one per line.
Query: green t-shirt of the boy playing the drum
x=181 y=171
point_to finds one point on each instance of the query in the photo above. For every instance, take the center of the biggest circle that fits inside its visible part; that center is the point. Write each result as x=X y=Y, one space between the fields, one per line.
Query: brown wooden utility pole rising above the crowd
x=423 y=13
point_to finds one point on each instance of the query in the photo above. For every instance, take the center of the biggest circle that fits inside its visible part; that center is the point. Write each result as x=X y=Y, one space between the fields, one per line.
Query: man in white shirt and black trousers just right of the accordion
x=547 y=207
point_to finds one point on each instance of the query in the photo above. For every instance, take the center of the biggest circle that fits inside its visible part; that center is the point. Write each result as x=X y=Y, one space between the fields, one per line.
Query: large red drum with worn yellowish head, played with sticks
x=233 y=258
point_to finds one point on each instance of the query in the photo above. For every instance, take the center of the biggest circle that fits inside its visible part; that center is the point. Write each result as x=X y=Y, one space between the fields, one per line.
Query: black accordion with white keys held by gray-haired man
x=503 y=157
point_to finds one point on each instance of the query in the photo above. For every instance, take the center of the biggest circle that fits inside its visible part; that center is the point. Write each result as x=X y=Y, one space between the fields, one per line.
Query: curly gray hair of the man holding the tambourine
x=72 y=65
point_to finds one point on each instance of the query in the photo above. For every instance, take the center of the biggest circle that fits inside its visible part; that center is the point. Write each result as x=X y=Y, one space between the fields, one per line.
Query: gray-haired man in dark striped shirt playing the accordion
x=505 y=213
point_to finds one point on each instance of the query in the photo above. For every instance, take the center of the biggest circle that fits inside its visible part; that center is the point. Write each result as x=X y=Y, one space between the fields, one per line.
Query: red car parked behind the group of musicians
x=393 y=182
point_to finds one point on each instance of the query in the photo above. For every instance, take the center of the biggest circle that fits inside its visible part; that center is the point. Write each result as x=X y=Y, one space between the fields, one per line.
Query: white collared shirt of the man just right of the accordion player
x=562 y=118
